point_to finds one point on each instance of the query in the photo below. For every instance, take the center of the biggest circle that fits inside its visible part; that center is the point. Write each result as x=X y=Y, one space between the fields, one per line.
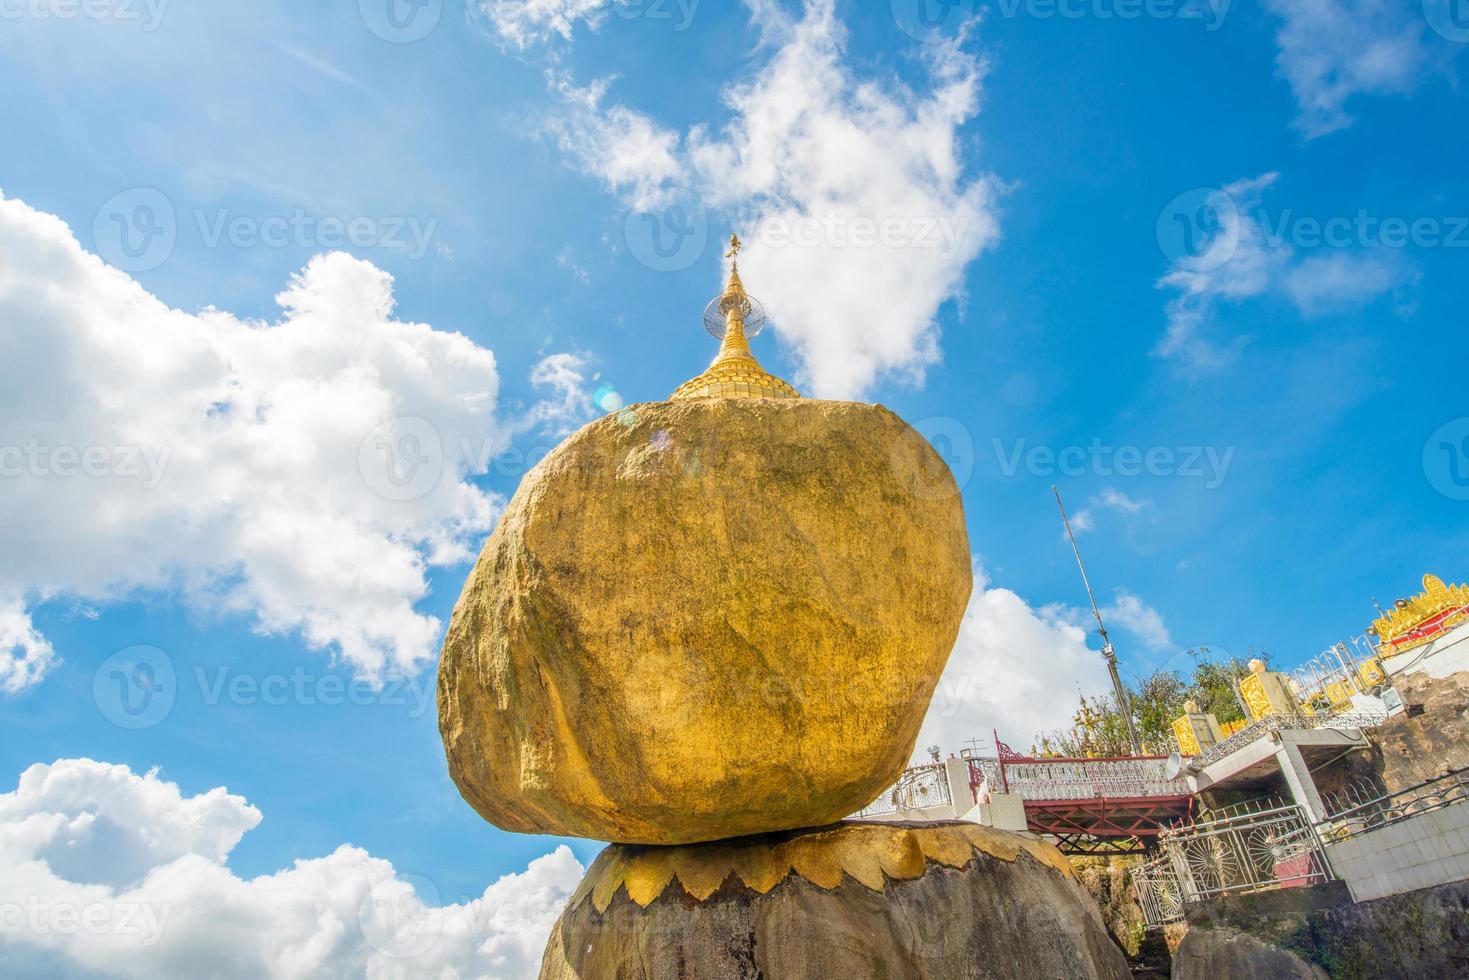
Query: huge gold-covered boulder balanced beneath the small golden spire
x=704 y=619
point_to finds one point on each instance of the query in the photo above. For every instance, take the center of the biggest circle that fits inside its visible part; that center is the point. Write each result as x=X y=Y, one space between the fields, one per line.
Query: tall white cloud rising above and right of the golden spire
x=850 y=190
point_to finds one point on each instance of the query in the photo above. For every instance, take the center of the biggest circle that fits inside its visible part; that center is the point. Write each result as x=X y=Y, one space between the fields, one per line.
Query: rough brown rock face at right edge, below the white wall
x=1430 y=735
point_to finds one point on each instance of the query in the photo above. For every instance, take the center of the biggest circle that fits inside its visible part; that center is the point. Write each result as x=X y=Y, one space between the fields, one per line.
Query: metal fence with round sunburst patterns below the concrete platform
x=1268 y=847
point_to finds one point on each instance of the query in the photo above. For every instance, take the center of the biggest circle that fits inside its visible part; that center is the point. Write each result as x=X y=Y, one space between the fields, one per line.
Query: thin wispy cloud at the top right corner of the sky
x=1332 y=51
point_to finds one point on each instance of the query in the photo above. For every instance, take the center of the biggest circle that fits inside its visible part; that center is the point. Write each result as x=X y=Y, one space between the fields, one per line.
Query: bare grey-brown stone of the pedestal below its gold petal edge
x=989 y=919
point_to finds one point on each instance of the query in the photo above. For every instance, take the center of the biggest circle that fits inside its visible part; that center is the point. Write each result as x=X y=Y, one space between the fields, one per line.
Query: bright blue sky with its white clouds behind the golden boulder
x=1226 y=242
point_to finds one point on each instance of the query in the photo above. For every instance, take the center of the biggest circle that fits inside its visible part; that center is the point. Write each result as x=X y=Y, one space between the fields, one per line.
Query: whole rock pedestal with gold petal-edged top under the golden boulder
x=851 y=901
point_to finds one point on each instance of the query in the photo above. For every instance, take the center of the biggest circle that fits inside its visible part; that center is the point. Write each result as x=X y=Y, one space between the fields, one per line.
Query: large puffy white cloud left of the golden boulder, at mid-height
x=302 y=472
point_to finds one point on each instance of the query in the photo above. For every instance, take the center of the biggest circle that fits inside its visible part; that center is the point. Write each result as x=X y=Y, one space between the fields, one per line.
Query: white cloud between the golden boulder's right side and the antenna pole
x=1014 y=669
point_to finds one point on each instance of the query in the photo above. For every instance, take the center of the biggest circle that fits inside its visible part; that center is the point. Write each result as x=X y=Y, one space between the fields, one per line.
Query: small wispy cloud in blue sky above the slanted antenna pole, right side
x=1238 y=251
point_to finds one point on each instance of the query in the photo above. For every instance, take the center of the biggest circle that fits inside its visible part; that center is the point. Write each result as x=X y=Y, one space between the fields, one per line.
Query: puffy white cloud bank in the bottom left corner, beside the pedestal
x=126 y=876
